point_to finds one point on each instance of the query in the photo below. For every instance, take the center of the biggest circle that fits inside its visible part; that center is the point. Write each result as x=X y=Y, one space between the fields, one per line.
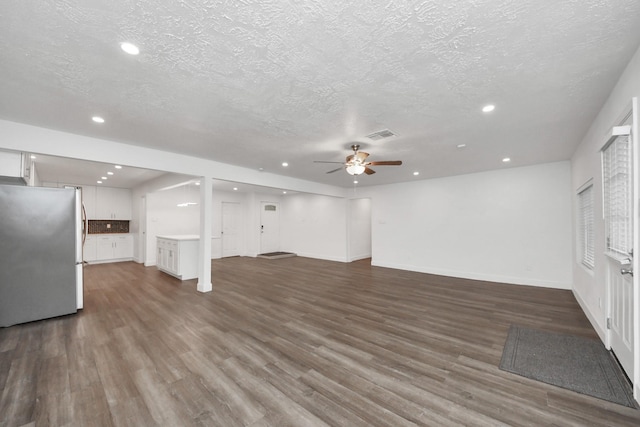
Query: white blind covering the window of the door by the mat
x=616 y=175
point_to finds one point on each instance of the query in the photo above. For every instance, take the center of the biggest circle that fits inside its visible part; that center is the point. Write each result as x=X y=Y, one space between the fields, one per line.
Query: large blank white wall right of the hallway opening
x=512 y=225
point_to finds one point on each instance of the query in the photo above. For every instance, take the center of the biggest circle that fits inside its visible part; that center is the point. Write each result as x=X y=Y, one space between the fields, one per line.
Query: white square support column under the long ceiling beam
x=206 y=210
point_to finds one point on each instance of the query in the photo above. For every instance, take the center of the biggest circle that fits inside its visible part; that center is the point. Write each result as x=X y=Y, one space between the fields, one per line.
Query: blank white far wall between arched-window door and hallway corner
x=314 y=226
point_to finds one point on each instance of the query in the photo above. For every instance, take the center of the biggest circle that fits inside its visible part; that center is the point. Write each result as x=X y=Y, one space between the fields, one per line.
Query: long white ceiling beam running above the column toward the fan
x=33 y=139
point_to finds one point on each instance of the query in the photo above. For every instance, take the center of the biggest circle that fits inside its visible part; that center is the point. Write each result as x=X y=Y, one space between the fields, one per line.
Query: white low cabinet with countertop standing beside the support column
x=178 y=255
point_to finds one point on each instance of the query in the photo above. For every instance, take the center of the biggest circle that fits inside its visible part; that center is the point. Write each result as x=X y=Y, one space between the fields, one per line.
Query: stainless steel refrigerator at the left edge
x=41 y=235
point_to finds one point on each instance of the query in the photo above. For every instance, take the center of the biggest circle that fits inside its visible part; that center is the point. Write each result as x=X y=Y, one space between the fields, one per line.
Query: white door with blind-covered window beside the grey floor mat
x=618 y=185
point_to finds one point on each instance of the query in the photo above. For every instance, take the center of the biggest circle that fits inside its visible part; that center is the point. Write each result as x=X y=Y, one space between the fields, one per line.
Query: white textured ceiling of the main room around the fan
x=258 y=82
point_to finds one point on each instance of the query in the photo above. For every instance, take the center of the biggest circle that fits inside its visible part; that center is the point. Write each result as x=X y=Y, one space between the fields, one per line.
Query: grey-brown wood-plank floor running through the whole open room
x=290 y=342
